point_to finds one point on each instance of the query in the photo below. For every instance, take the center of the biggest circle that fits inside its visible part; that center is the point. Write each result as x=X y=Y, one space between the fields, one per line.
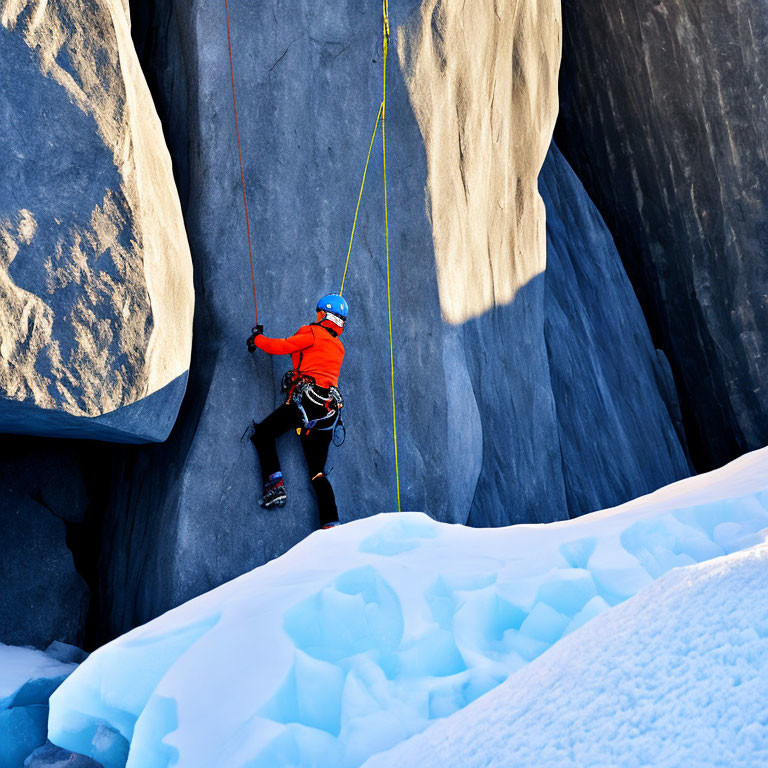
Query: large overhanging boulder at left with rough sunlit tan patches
x=96 y=292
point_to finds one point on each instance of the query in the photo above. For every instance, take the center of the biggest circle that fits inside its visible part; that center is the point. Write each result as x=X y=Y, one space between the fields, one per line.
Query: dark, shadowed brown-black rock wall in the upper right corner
x=665 y=119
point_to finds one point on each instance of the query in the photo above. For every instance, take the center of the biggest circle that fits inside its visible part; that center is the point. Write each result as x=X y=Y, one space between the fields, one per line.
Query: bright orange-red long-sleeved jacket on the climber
x=314 y=352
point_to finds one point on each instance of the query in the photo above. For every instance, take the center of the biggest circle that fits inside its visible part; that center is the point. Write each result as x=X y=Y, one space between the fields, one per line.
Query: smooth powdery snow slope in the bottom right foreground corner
x=676 y=676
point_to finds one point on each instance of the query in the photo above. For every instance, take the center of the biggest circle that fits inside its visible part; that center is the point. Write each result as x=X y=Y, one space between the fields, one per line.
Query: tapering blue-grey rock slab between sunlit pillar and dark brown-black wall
x=618 y=417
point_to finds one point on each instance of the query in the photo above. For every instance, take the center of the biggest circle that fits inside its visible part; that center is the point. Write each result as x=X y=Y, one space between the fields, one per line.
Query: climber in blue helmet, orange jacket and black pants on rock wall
x=312 y=403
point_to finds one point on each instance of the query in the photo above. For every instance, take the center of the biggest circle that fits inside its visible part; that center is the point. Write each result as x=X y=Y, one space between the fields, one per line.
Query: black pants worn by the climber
x=315 y=444
